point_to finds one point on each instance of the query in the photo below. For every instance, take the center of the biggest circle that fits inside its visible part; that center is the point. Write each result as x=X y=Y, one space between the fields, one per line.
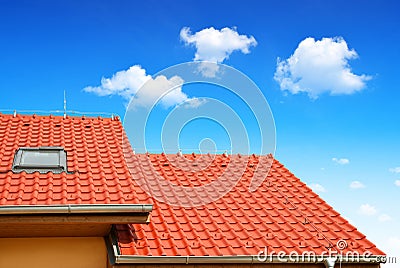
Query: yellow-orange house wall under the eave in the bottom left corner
x=52 y=252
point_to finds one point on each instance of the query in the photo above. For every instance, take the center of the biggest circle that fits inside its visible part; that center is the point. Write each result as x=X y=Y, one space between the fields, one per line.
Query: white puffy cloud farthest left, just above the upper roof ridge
x=127 y=83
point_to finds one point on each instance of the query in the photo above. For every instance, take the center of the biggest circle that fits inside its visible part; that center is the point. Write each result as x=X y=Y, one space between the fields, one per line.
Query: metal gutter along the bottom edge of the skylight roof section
x=76 y=209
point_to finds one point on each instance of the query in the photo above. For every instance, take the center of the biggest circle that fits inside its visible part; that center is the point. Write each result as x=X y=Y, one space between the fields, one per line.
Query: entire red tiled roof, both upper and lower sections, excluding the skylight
x=282 y=214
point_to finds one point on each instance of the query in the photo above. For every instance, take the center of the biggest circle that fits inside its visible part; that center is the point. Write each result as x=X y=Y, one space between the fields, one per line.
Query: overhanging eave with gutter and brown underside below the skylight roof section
x=69 y=220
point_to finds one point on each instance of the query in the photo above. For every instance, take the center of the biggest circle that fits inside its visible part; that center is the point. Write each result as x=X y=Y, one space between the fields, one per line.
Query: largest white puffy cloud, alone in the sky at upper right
x=318 y=67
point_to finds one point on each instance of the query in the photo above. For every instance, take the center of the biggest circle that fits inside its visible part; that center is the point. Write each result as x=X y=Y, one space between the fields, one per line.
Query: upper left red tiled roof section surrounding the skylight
x=98 y=172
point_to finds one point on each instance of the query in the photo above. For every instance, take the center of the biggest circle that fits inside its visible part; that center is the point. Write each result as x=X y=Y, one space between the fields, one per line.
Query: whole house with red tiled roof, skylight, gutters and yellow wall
x=74 y=194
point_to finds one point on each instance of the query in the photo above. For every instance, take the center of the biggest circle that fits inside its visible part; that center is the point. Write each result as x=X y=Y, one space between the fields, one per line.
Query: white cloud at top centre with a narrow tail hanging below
x=215 y=46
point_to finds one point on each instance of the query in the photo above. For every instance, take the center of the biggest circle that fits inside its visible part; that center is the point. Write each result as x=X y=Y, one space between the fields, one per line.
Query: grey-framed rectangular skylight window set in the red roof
x=41 y=159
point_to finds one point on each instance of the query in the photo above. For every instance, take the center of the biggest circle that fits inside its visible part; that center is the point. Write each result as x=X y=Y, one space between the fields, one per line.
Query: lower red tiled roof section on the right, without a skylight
x=282 y=214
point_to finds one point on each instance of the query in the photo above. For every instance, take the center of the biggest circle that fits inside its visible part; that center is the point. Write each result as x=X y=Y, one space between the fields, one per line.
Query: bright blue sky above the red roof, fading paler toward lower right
x=50 y=46
